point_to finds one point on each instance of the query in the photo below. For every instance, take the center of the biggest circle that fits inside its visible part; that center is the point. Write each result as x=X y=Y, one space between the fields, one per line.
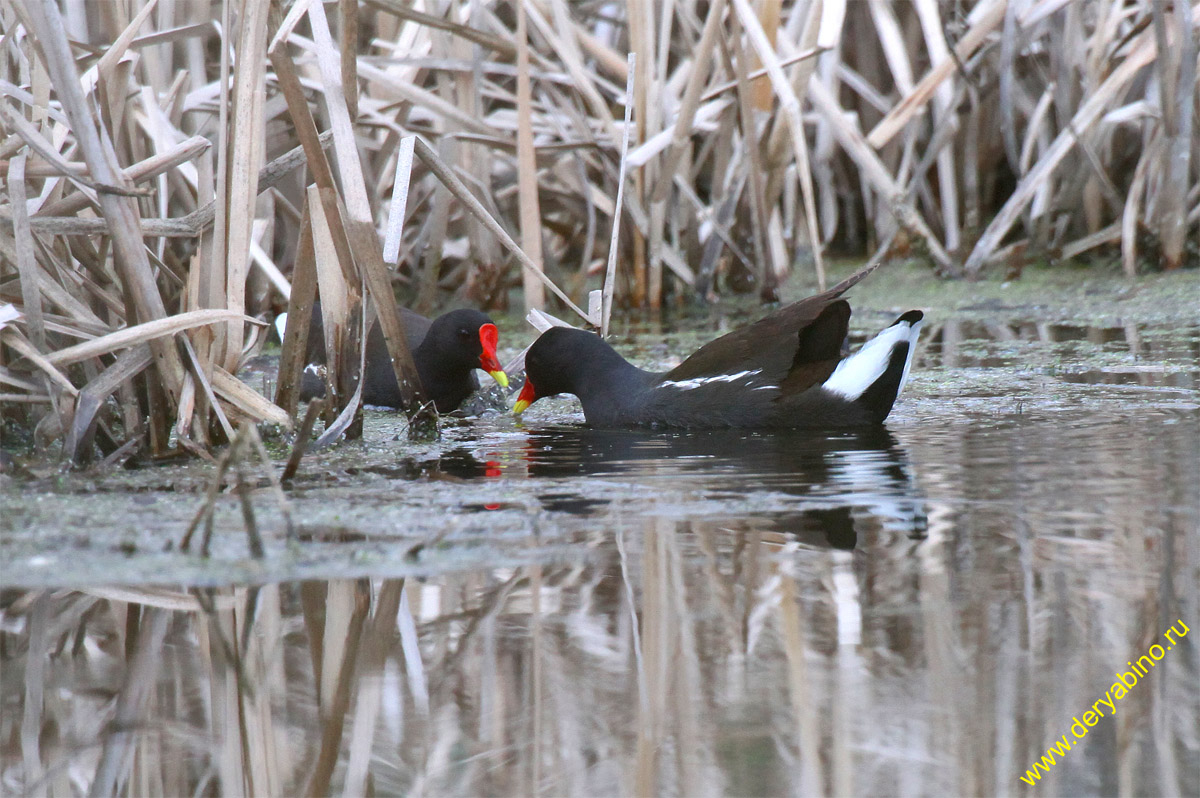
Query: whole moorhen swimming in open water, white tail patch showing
x=783 y=371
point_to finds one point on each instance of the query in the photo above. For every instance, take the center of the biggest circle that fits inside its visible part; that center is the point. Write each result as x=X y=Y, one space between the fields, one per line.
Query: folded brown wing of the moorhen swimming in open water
x=791 y=339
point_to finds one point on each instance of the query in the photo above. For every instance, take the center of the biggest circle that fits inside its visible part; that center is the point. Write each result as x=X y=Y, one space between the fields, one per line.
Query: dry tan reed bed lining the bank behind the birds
x=177 y=172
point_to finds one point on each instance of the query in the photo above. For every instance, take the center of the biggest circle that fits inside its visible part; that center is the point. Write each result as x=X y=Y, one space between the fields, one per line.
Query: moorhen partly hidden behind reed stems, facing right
x=447 y=352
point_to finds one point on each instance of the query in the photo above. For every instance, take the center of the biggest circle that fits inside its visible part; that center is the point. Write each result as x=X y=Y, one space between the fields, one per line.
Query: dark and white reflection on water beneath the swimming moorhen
x=823 y=489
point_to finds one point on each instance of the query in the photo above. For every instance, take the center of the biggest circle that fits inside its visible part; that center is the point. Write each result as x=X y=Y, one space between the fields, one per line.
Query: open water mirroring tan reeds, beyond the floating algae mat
x=976 y=607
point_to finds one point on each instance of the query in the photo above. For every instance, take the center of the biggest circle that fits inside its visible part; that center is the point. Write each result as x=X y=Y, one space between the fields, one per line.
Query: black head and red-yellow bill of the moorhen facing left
x=560 y=362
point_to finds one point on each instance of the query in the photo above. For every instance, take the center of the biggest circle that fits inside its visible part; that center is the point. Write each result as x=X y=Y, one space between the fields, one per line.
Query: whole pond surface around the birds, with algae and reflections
x=541 y=609
